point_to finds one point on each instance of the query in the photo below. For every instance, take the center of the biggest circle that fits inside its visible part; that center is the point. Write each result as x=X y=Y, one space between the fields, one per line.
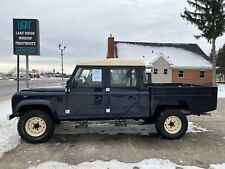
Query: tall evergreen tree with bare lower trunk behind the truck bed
x=209 y=17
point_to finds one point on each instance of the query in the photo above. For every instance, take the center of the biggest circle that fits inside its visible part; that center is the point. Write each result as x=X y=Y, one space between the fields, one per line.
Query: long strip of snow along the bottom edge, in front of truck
x=114 y=164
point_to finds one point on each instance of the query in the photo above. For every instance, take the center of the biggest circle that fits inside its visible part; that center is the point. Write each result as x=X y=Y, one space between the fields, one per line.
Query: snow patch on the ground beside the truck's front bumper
x=9 y=139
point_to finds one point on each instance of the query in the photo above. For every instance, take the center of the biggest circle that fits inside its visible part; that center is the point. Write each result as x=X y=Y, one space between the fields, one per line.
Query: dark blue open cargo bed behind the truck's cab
x=197 y=98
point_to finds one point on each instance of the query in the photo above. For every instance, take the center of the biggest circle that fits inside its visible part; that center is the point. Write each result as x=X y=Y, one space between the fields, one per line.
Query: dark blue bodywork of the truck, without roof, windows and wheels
x=108 y=102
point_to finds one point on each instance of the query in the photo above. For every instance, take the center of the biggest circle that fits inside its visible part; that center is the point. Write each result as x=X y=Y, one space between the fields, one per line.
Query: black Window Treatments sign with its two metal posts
x=25 y=42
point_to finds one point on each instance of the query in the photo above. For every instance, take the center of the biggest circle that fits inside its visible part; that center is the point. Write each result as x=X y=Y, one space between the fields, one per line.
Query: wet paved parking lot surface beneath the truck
x=128 y=144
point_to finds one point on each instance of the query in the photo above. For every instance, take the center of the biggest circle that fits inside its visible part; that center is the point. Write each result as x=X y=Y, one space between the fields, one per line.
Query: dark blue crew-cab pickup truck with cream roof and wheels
x=111 y=89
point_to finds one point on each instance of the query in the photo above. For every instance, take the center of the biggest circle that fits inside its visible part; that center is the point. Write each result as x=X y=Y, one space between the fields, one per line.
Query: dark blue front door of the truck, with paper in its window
x=87 y=99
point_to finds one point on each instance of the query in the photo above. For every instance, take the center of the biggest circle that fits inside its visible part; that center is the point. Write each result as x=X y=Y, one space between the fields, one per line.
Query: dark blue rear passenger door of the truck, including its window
x=122 y=92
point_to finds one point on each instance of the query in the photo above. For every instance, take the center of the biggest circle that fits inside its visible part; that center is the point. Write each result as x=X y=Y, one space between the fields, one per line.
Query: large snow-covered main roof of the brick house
x=179 y=54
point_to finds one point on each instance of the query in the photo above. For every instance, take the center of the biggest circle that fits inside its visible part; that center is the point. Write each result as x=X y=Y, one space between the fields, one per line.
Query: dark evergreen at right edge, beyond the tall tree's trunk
x=221 y=60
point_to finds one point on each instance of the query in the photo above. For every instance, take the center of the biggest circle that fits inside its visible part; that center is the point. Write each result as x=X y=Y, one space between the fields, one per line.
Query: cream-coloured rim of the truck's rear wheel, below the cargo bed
x=172 y=124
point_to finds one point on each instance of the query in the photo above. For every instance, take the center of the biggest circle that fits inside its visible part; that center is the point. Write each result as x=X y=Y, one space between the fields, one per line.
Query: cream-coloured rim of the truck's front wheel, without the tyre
x=35 y=126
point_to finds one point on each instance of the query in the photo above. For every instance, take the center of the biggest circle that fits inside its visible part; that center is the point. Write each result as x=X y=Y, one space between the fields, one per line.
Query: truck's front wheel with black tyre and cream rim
x=35 y=126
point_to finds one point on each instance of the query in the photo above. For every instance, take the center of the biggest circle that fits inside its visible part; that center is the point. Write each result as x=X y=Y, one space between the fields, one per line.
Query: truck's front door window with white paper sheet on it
x=88 y=77
